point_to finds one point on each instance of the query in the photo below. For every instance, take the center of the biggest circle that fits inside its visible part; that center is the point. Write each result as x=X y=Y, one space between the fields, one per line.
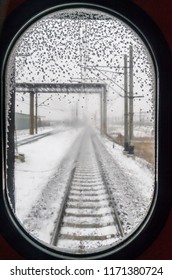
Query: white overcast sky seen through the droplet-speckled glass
x=74 y=47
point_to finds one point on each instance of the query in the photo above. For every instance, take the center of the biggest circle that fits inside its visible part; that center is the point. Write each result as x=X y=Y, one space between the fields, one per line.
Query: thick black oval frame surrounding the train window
x=150 y=227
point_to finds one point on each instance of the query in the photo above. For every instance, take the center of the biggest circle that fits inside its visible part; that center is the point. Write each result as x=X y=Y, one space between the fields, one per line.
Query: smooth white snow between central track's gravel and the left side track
x=41 y=160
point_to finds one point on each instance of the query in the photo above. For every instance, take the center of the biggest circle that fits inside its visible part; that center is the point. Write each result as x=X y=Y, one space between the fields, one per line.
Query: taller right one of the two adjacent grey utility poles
x=131 y=145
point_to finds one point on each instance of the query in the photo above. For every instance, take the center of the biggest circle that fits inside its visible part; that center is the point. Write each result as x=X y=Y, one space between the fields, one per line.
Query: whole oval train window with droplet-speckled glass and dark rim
x=81 y=146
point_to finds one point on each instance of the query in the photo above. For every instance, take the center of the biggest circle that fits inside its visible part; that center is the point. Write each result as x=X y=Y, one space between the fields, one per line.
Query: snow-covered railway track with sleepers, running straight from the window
x=88 y=219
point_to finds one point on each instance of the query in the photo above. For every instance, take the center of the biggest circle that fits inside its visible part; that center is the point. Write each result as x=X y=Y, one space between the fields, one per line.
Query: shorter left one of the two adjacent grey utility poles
x=126 y=144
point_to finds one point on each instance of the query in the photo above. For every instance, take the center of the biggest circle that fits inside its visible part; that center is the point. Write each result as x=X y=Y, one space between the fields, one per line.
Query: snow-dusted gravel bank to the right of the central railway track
x=131 y=180
